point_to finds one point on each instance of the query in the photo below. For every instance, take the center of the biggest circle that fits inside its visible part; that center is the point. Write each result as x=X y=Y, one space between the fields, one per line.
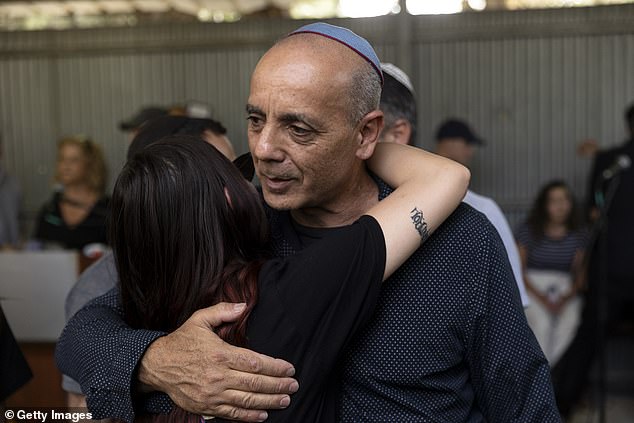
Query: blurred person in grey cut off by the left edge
x=10 y=200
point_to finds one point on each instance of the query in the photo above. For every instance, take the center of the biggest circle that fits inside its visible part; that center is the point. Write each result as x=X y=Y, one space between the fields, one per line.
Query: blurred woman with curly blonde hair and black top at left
x=76 y=214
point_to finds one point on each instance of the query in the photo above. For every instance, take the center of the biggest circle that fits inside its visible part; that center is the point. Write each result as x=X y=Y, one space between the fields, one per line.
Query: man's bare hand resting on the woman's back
x=204 y=375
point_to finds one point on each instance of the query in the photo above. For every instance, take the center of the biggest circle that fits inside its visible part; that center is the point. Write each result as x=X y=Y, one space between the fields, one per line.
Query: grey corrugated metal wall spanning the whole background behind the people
x=533 y=84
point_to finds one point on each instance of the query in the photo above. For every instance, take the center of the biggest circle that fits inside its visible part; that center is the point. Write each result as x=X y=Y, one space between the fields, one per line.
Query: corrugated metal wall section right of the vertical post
x=533 y=100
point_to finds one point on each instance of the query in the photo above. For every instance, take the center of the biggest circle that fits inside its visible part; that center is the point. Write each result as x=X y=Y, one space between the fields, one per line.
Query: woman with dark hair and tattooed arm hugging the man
x=189 y=231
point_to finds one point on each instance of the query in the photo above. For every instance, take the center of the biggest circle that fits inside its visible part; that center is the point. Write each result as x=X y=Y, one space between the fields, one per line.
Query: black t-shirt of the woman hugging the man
x=310 y=306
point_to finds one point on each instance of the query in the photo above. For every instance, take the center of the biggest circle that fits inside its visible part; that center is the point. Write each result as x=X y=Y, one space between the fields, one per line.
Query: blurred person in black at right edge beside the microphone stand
x=611 y=170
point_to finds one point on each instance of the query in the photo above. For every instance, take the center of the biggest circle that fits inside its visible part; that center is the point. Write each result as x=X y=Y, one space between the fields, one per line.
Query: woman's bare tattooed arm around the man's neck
x=428 y=189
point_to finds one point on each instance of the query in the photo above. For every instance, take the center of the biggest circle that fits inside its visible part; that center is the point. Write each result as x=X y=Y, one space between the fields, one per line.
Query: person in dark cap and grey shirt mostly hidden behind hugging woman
x=101 y=277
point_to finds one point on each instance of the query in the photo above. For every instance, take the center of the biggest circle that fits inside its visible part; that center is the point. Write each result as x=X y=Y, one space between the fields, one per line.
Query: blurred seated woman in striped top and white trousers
x=552 y=246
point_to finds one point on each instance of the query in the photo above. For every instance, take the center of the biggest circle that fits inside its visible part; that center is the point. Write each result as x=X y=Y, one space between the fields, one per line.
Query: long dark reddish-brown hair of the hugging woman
x=180 y=244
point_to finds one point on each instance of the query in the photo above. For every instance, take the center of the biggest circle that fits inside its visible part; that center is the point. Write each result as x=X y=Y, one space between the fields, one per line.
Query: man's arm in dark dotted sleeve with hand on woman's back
x=101 y=352
